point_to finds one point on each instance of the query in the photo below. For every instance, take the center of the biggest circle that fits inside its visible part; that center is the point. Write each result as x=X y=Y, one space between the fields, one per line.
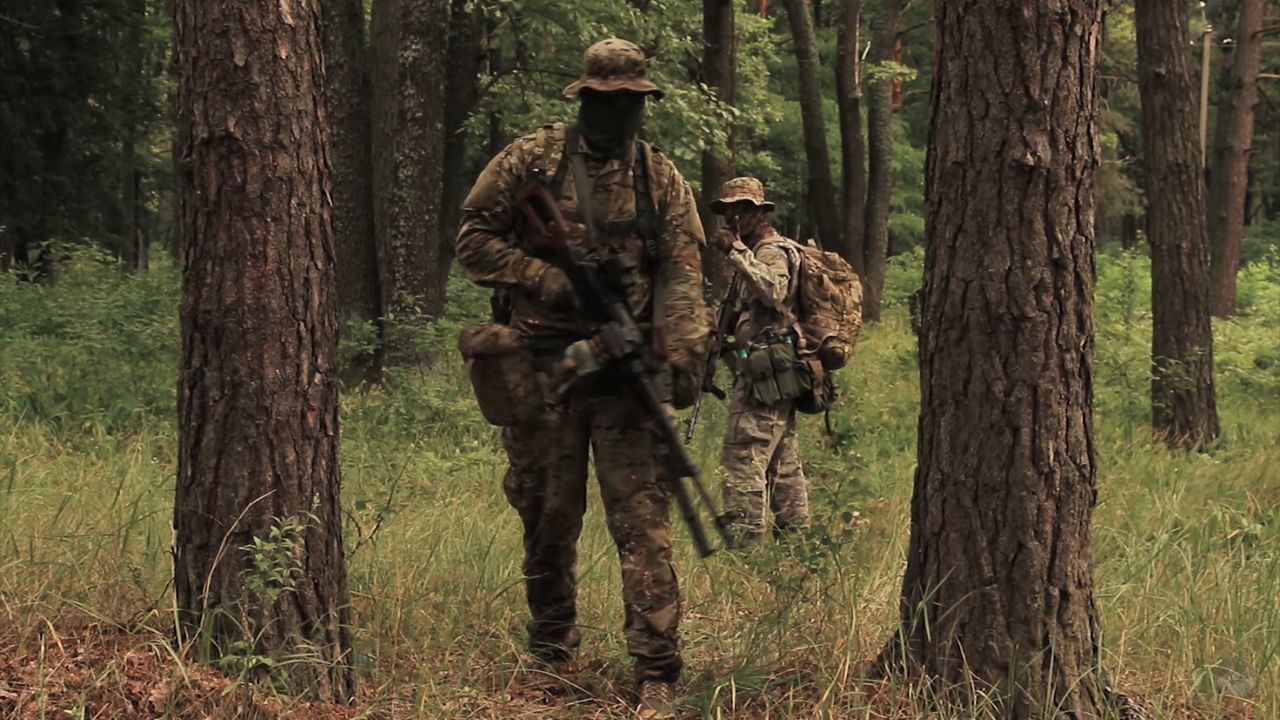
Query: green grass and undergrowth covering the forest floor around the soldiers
x=1187 y=548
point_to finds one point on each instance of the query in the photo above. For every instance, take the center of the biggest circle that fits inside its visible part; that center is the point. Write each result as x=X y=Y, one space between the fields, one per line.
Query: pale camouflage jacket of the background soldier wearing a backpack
x=766 y=276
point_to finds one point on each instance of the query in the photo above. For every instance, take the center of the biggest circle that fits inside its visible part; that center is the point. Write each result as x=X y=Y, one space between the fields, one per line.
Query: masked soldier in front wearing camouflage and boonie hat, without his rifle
x=643 y=213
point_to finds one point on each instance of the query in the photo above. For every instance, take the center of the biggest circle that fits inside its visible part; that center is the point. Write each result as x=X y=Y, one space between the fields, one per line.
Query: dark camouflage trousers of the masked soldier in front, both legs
x=547 y=485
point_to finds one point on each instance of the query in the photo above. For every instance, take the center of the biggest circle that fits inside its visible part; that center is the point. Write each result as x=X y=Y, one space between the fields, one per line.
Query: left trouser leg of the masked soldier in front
x=546 y=484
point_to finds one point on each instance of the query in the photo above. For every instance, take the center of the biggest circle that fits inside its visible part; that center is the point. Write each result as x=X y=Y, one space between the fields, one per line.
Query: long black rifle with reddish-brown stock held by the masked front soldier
x=620 y=343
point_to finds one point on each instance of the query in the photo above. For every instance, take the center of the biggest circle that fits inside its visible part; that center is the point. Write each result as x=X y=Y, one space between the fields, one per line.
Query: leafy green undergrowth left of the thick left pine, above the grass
x=88 y=353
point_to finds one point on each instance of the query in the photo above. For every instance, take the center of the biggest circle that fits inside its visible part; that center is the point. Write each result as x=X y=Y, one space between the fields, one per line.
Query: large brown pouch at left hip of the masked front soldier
x=501 y=370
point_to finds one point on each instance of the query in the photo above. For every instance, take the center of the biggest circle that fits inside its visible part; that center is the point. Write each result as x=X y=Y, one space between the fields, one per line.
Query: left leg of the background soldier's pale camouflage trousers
x=752 y=439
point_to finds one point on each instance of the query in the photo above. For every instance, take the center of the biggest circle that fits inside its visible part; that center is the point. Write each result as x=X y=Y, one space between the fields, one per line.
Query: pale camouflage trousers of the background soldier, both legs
x=761 y=468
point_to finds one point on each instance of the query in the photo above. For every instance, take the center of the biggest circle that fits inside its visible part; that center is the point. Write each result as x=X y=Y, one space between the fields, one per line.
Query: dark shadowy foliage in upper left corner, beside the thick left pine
x=80 y=81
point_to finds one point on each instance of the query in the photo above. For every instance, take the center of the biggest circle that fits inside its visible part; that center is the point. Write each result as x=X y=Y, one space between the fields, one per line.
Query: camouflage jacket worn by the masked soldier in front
x=491 y=253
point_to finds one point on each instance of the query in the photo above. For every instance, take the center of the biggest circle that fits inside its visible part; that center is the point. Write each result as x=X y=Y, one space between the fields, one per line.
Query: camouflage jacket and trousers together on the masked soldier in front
x=548 y=459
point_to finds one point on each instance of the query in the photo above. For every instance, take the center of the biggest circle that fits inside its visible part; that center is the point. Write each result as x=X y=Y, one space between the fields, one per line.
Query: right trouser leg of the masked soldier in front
x=637 y=505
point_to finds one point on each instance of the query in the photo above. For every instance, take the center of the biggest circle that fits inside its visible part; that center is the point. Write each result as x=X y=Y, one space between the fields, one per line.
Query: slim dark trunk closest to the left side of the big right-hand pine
x=880 y=140
